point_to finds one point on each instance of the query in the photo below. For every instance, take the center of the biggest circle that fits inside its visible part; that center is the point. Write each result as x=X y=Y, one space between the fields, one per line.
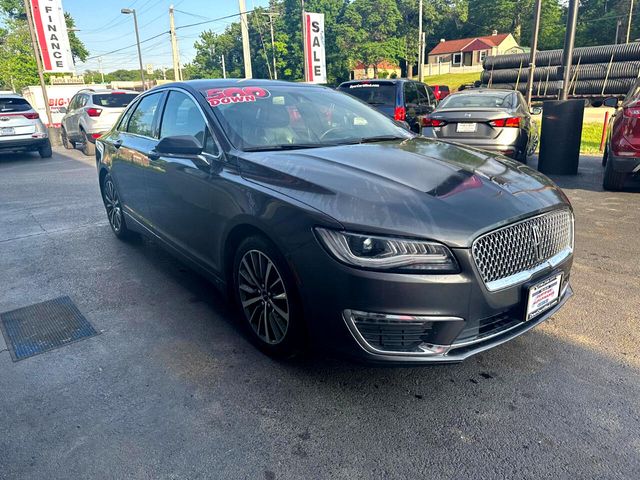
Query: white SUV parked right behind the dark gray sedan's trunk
x=91 y=113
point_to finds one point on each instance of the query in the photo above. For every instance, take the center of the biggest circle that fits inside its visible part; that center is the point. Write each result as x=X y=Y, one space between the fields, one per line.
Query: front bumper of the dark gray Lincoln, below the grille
x=468 y=318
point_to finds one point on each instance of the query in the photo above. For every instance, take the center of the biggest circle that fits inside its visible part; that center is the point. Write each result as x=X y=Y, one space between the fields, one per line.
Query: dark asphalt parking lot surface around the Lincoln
x=171 y=389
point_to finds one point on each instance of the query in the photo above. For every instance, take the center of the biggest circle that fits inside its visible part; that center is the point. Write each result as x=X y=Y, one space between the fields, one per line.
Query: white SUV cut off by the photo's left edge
x=21 y=128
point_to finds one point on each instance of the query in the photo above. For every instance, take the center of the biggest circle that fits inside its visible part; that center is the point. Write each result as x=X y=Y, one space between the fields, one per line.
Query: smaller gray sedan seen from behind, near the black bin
x=494 y=120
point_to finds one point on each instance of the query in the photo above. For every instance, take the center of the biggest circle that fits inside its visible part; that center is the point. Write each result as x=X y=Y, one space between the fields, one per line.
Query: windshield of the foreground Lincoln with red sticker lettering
x=279 y=117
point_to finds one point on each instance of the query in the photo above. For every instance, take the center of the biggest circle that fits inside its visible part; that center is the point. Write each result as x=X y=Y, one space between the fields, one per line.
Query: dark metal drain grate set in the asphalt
x=44 y=326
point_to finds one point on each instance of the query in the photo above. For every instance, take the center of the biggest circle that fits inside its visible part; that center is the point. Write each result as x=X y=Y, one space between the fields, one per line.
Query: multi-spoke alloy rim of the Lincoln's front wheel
x=263 y=297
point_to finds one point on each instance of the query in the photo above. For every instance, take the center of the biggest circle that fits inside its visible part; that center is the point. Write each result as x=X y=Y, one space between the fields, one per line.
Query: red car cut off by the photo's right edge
x=622 y=152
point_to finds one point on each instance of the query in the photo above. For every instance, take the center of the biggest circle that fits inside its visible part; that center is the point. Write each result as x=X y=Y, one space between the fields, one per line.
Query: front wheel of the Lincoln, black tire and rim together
x=270 y=309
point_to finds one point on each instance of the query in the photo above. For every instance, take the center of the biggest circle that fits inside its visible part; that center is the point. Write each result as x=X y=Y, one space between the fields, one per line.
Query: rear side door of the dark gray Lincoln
x=135 y=137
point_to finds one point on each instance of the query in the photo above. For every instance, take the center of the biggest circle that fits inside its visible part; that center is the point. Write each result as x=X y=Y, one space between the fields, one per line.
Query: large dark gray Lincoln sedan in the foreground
x=329 y=223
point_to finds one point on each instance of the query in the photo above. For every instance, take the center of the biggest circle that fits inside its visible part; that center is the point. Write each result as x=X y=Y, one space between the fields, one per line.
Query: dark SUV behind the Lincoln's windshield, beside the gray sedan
x=401 y=99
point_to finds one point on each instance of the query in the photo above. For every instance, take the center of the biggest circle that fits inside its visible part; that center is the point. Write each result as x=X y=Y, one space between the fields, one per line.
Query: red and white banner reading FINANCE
x=53 y=39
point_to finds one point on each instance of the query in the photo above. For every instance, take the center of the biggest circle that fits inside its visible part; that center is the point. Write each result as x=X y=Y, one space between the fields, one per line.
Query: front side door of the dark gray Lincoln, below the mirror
x=185 y=203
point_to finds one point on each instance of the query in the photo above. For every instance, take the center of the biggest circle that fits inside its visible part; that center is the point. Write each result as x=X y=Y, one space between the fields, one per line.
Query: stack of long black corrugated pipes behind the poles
x=596 y=72
